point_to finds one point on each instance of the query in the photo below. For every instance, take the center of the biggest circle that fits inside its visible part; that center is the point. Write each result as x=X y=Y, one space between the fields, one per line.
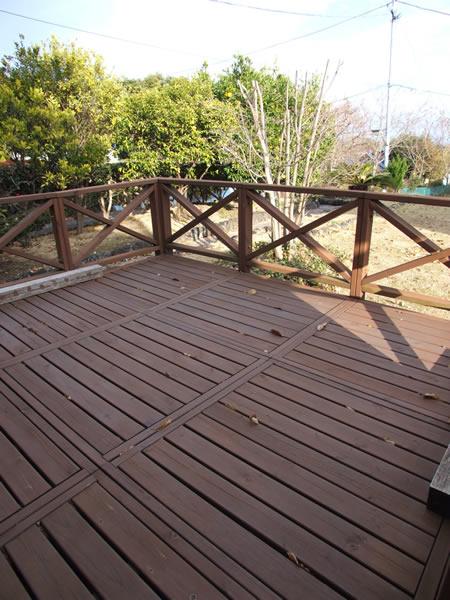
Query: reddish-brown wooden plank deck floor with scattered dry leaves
x=180 y=430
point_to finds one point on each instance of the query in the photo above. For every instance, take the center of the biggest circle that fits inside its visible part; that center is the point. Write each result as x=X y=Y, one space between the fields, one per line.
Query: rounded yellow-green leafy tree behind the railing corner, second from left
x=171 y=128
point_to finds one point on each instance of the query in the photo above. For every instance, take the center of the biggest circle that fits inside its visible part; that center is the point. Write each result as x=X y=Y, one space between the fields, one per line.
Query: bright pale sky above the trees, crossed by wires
x=187 y=32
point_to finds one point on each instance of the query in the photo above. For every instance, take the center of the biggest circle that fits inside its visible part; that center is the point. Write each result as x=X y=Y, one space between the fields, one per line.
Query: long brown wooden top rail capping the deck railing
x=322 y=191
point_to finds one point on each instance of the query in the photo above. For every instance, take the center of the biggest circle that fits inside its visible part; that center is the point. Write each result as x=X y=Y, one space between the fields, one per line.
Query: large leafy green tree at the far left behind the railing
x=56 y=110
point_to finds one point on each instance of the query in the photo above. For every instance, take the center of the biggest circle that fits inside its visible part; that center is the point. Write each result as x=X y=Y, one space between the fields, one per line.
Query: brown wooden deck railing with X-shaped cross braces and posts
x=162 y=193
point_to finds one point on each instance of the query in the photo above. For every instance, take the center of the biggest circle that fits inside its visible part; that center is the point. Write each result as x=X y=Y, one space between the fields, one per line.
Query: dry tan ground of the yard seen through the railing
x=389 y=247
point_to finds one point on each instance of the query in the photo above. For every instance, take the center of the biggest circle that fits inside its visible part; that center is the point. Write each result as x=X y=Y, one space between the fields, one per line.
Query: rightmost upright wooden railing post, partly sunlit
x=361 y=249
